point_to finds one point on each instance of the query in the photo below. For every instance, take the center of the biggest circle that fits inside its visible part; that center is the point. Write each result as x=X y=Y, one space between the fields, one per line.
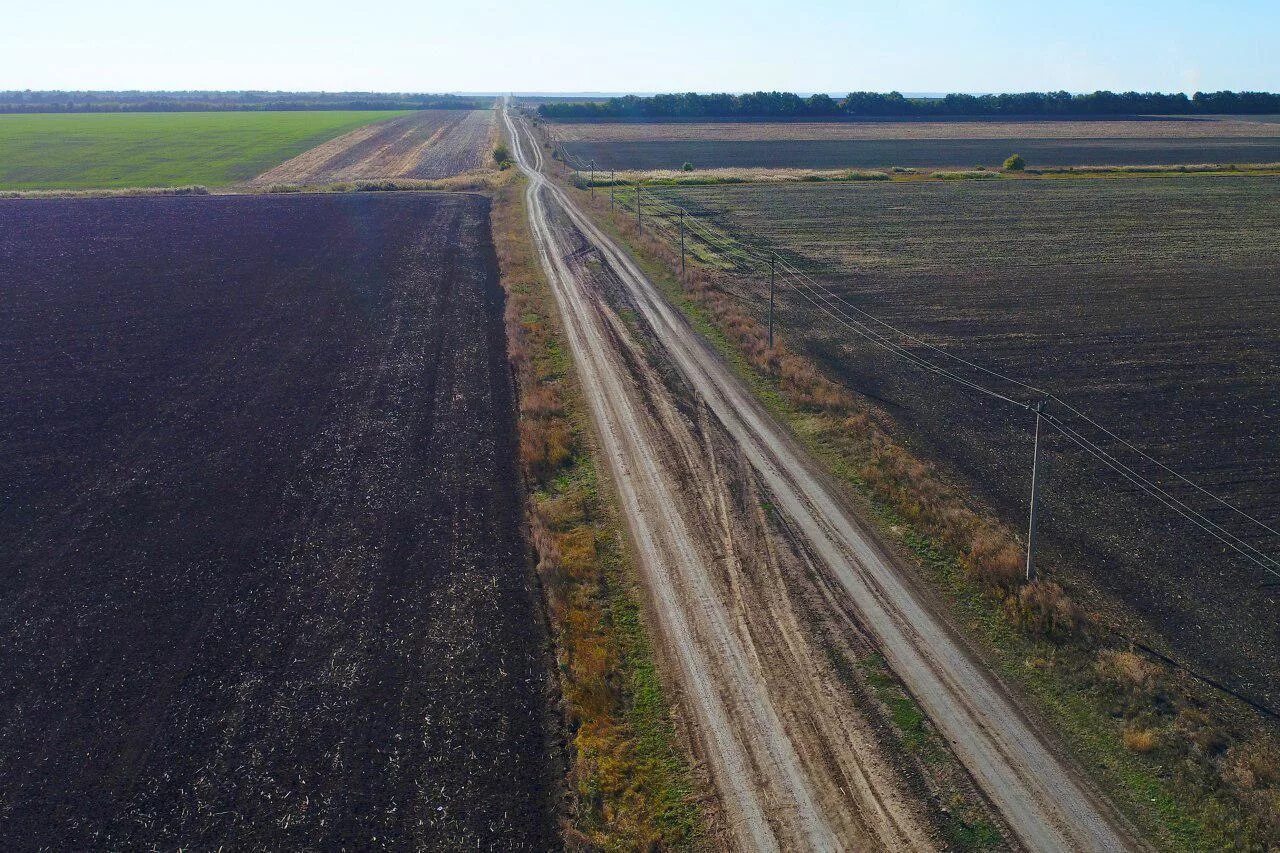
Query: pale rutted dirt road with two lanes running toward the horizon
x=760 y=729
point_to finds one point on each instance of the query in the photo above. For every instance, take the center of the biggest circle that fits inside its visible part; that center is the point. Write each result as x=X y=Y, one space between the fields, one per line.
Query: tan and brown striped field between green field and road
x=427 y=144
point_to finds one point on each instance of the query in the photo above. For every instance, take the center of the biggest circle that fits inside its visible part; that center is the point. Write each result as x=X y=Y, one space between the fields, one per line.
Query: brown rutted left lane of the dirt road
x=793 y=773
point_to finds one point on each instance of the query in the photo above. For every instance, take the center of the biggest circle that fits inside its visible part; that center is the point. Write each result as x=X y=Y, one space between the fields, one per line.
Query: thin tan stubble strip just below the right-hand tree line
x=728 y=131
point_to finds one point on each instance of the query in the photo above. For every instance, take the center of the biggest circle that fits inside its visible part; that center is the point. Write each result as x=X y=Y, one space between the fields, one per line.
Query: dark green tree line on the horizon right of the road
x=876 y=104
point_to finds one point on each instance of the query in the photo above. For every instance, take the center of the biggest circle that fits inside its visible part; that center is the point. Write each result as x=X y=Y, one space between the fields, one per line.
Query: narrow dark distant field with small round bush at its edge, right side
x=920 y=153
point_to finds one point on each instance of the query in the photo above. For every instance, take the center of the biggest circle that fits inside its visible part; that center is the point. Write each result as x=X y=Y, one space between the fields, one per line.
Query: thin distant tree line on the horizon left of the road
x=200 y=102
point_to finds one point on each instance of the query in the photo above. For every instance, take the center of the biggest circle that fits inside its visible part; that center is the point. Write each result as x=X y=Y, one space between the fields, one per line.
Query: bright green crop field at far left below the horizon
x=111 y=150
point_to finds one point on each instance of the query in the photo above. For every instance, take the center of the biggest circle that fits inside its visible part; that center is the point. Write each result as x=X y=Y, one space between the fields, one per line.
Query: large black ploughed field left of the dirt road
x=264 y=582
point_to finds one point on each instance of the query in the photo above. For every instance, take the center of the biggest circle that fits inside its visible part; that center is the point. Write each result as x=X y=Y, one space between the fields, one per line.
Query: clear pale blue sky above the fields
x=660 y=45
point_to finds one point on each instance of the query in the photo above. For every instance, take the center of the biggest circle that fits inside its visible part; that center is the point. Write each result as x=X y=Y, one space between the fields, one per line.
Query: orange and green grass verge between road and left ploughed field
x=630 y=786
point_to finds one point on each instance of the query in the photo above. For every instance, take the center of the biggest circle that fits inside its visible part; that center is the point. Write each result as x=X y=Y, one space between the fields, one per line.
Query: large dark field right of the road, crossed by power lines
x=1151 y=304
